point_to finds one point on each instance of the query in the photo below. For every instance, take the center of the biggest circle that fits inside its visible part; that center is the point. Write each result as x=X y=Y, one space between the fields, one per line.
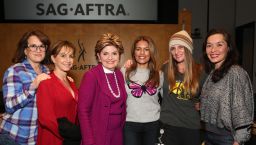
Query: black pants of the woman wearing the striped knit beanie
x=180 y=136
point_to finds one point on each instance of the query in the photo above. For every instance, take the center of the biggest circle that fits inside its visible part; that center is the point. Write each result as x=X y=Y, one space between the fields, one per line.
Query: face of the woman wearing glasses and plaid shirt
x=37 y=56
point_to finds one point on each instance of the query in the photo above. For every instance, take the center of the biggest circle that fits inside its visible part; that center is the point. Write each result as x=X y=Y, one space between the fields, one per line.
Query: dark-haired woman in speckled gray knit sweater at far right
x=227 y=95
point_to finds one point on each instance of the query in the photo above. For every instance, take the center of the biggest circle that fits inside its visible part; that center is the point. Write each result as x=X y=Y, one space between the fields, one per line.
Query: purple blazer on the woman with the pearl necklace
x=94 y=105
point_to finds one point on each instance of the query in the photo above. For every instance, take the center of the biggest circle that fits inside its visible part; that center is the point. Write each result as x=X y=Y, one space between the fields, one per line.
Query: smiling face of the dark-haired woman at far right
x=216 y=49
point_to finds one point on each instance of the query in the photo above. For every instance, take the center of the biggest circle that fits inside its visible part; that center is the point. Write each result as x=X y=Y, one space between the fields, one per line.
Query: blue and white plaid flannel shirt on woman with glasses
x=20 y=118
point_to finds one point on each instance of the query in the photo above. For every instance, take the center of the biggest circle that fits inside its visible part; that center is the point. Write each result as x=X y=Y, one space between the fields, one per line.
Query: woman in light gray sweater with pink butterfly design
x=143 y=83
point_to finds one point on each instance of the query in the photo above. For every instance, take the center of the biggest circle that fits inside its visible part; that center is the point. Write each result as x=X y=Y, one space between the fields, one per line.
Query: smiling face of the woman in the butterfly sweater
x=142 y=53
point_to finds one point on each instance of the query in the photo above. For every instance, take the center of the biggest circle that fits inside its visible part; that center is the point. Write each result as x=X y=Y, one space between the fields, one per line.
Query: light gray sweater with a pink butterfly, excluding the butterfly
x=145 y=108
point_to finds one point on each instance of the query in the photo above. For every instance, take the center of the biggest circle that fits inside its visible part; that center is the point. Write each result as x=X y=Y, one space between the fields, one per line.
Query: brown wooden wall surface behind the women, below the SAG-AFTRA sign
x=86 y=34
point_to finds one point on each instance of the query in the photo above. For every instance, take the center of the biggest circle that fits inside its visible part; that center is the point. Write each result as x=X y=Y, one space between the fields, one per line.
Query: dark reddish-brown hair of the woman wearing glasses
x=19 y=55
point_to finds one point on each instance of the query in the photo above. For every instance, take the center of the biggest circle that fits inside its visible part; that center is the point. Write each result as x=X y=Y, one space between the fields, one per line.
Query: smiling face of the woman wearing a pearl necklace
x=109 y=57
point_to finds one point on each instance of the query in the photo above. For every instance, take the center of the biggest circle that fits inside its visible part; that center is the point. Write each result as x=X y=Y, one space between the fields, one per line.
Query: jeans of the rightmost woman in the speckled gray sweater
x=217 y=139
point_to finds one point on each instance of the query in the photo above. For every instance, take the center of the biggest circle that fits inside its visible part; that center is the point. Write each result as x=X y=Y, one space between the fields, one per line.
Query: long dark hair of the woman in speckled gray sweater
x=231 y=58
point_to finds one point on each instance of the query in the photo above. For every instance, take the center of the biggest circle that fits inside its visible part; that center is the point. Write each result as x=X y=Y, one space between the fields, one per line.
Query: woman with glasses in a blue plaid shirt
x=19 y=125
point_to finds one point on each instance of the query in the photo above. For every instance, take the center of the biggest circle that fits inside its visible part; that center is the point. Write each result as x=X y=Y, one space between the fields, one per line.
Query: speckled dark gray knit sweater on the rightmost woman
x=229 y=103
